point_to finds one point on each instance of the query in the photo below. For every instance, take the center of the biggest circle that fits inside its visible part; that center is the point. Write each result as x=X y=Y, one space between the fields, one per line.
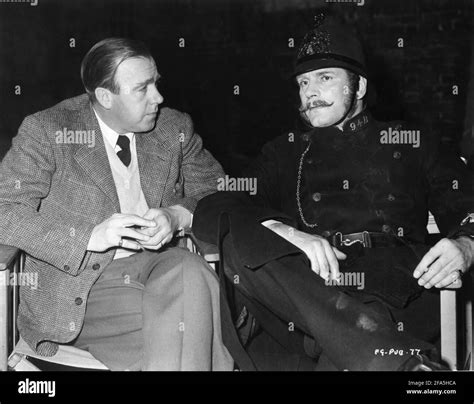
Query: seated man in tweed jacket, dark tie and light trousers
x=93 y=190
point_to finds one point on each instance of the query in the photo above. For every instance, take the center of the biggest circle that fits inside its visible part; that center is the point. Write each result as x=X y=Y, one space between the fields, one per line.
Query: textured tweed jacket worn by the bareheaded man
x=53 y=193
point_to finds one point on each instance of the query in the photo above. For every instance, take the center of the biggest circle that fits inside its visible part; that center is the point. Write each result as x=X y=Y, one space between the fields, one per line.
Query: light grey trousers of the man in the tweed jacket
x=156 y=311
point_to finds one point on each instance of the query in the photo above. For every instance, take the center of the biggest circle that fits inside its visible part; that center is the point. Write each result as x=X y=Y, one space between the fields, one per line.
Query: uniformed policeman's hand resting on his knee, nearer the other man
x=321 y=254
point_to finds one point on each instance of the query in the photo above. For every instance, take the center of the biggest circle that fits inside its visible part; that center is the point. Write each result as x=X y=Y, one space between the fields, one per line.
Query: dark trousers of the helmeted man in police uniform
x=352 y=330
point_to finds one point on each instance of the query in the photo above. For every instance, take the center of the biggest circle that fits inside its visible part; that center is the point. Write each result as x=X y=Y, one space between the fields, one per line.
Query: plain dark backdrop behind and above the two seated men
x=244 y=43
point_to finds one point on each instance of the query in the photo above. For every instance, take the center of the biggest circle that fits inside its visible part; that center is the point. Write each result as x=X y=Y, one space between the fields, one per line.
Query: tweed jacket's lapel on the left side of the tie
x=94 y=160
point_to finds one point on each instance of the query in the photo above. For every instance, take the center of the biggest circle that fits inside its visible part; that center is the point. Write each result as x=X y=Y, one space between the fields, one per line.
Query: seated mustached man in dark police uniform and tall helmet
x=353 y=195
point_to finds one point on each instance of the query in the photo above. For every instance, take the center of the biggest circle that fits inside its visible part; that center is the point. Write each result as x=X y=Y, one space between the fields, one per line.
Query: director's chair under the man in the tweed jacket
x=15 y=354
